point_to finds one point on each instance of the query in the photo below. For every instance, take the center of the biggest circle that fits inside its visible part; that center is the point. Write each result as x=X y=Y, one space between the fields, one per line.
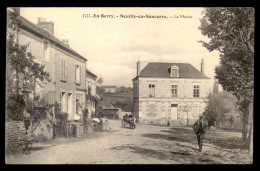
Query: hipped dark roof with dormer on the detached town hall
x=161 y=70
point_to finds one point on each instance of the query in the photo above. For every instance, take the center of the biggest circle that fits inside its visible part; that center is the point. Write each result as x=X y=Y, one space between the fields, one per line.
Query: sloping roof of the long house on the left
x=36 y=30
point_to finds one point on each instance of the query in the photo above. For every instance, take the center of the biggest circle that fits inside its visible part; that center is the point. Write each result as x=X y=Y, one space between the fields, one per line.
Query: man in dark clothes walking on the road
x=199 y=128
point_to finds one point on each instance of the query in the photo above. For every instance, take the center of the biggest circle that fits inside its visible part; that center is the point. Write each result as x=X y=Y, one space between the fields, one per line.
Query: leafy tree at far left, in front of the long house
x=21 y=69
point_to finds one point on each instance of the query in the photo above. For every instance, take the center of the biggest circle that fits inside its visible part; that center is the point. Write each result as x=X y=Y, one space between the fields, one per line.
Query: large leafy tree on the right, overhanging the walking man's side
x=231 y=32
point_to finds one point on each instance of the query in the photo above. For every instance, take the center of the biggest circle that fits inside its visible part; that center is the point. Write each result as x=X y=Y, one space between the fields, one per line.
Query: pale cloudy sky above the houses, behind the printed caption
x=113 y=46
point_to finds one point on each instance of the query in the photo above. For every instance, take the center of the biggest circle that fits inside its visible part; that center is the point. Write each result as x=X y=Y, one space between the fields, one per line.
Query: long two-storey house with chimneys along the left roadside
x=65 y=66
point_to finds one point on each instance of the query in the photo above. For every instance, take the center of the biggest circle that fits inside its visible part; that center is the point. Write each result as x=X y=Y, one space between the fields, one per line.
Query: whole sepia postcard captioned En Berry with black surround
x=129 y=85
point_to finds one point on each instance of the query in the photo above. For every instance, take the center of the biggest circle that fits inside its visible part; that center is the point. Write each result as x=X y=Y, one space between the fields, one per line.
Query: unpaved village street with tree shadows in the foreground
x=147 y=144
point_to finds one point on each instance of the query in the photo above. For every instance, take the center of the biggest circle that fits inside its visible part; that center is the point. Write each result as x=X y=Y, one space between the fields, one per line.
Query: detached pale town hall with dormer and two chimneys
x=174 y=92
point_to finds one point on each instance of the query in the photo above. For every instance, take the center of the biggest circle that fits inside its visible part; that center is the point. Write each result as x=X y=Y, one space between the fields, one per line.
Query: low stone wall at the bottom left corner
x=15 y=133
